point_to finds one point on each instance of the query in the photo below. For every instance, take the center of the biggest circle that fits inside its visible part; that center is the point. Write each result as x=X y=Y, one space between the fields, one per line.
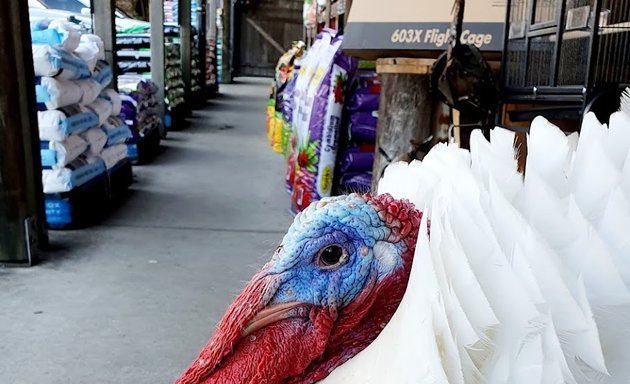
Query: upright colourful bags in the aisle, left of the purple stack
x=305 y=115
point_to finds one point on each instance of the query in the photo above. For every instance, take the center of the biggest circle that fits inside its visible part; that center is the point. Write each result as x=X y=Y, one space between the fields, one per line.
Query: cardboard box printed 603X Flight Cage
x=378 y=28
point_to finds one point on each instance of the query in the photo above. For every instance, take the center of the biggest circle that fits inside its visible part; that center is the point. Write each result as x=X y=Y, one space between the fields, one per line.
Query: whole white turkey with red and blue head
x=461 y=270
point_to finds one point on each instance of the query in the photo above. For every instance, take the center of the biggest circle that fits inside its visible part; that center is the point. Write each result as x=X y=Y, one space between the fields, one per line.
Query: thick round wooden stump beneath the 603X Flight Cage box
x=405 y=113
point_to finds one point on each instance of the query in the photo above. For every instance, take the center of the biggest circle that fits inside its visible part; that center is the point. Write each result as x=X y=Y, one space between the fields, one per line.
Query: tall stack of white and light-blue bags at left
x=78 y=158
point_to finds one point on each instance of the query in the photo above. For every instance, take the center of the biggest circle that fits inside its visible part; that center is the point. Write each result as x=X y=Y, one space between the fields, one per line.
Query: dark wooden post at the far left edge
x=22 y=218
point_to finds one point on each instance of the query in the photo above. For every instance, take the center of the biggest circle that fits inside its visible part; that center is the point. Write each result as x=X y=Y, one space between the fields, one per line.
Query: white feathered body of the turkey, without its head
x=523 y=280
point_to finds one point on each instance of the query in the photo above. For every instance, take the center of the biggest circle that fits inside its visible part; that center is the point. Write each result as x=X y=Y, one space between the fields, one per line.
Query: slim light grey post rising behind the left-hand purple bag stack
x=156 y=17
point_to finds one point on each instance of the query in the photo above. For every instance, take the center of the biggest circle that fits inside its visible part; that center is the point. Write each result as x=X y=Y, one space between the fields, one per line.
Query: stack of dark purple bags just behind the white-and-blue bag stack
x=139 y=111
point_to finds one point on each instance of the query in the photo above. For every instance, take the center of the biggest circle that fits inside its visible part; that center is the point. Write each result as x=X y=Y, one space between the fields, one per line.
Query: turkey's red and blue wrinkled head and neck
x=328 y=291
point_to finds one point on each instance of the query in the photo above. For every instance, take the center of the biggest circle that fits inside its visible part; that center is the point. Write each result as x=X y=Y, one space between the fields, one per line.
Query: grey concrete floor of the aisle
x=134 y=299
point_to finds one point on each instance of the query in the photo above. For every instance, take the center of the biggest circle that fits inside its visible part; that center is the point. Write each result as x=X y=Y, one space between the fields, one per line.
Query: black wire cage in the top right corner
x=565 y=54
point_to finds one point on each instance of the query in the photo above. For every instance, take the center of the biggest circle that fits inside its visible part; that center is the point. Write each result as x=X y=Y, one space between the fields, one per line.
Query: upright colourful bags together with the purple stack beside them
x=322 y=116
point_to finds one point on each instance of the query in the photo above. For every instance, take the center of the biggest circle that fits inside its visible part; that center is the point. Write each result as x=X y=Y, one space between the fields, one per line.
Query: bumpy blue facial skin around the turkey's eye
x=332 y=251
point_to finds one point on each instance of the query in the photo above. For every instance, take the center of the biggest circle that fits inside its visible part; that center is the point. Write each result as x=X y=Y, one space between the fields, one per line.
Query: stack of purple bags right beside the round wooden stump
x=357 y=158
